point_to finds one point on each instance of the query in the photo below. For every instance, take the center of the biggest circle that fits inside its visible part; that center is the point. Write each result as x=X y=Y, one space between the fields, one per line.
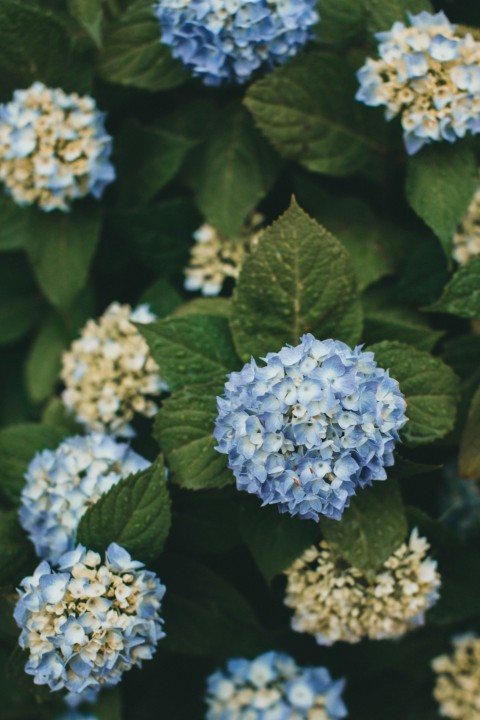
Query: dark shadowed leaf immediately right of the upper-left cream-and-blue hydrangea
x=147 y=158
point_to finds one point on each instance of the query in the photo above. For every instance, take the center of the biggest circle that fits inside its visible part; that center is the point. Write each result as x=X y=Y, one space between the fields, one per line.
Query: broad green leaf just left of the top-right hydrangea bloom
x=307 y=110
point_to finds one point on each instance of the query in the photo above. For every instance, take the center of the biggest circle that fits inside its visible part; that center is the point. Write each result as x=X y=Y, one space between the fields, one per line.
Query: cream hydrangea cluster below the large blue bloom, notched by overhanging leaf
x=334 y=601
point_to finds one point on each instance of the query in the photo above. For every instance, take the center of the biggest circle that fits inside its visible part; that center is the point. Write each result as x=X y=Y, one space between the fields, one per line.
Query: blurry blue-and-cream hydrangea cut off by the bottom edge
x=273 y=687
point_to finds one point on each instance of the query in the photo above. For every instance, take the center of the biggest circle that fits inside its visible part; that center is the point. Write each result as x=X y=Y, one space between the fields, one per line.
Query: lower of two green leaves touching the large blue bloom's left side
x=184 y=429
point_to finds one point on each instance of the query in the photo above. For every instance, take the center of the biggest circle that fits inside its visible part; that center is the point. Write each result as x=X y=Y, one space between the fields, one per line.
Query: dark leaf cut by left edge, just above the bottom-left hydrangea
x=16 y=553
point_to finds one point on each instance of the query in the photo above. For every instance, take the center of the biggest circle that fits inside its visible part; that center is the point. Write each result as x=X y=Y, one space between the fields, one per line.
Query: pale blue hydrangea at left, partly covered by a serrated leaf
x=61 y=485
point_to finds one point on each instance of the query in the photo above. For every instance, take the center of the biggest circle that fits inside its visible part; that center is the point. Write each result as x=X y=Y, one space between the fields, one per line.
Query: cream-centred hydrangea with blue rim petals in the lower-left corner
x=89 y=622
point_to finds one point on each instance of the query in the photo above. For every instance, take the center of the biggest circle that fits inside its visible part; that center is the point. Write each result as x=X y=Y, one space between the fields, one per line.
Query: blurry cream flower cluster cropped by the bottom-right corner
x=457 y=687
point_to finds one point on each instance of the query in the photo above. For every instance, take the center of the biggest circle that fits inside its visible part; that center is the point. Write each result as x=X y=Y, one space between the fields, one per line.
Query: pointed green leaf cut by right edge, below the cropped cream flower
x=462 y=294
